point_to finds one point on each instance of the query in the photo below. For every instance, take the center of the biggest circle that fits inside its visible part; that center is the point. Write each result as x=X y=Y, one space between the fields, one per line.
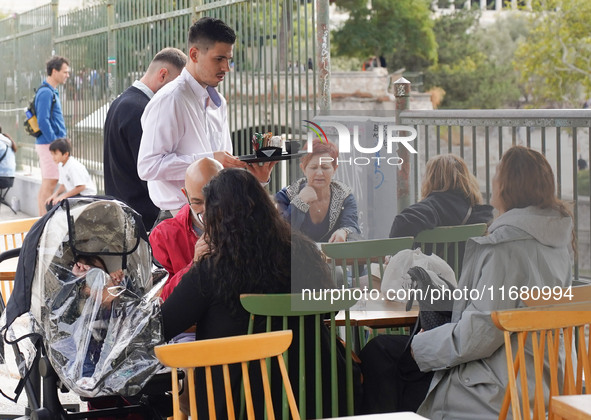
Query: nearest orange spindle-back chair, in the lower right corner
x=545 y=326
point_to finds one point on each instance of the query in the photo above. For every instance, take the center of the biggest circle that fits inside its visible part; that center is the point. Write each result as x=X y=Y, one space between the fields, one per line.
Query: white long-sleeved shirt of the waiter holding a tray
x=180 y=125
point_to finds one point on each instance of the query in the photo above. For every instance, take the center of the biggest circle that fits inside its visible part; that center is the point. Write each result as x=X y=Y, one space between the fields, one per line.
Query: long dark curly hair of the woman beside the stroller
x=249 y=241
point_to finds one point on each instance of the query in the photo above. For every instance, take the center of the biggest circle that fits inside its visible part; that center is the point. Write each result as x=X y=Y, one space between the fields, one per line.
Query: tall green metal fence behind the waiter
x=272 y=86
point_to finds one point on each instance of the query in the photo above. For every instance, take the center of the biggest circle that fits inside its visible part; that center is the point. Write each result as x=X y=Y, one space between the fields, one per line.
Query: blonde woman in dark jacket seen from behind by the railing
x=450 y=197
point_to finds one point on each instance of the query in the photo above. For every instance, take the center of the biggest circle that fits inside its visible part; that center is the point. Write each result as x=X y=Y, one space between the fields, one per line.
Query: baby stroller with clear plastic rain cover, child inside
x=83 y=310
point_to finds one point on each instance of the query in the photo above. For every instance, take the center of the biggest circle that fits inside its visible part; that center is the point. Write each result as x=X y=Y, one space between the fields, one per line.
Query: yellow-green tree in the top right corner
x=554 y=61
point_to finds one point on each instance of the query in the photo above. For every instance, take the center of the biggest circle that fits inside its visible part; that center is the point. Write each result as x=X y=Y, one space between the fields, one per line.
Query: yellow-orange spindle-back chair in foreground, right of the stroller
x=226 y=351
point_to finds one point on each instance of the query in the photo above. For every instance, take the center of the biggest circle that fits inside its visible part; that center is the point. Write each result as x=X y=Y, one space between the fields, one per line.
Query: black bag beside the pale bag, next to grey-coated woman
x=431 y=313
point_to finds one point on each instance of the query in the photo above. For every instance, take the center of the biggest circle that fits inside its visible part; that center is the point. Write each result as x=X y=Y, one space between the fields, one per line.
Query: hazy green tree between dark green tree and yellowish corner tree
x=474 y=67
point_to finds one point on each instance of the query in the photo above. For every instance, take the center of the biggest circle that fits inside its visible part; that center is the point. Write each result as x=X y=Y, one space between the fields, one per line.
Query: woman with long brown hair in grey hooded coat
x=528 y=245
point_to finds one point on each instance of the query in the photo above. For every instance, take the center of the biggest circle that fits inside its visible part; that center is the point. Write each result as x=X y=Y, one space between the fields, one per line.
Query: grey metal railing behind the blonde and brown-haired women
x=481 y=137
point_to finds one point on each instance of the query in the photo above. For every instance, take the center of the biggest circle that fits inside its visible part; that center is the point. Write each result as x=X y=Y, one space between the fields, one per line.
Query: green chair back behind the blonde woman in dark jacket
x=448 y=242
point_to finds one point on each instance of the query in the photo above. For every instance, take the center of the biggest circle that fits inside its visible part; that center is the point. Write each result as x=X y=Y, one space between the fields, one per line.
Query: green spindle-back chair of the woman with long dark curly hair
x=279 y=306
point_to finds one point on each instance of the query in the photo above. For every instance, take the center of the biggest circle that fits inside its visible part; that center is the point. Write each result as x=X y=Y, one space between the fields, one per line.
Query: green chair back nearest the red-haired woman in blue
x=359 y=253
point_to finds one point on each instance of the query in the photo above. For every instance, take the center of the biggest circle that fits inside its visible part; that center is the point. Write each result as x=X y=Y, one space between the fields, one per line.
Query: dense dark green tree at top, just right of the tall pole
x=399 y=30
